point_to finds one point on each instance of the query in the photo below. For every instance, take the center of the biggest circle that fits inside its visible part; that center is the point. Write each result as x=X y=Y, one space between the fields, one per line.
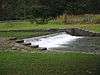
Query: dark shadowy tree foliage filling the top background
x=45 y=9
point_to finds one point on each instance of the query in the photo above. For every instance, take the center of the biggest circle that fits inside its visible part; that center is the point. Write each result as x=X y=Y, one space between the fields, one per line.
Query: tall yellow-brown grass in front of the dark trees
x=80 y=19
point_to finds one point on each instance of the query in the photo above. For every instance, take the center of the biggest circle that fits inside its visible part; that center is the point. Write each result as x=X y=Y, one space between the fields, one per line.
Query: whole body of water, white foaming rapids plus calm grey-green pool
x=65 y=42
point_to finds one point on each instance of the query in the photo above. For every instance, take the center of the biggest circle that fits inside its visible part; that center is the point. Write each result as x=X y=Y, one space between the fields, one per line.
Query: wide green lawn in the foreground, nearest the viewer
x=15 y=63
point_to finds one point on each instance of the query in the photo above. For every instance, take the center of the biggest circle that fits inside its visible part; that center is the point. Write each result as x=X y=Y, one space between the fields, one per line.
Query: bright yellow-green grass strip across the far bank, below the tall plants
x=29 y=26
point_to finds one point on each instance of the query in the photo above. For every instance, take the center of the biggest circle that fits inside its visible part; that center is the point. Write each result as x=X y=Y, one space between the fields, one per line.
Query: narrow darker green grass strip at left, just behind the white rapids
x=22 y=34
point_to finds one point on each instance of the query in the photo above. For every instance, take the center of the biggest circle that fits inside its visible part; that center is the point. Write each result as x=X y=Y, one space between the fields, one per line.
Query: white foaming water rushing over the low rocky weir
x=51 y=41
